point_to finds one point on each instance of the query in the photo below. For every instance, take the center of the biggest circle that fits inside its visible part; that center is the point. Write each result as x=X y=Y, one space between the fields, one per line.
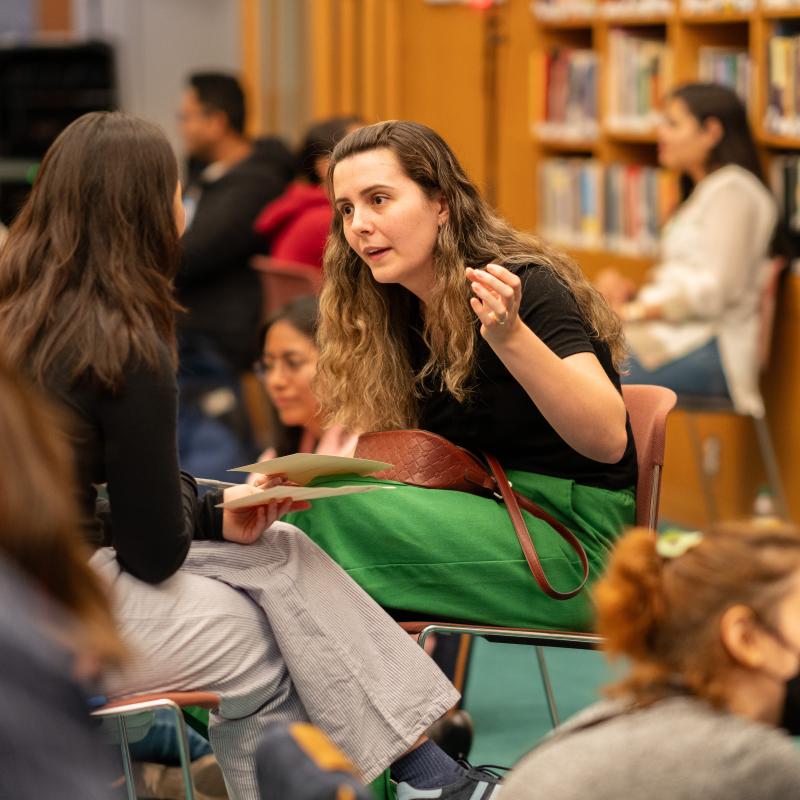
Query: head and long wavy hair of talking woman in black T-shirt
x=408 y=222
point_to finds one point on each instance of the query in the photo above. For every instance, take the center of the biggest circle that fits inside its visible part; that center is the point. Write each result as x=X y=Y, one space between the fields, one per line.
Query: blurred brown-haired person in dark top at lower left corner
x=56 y=626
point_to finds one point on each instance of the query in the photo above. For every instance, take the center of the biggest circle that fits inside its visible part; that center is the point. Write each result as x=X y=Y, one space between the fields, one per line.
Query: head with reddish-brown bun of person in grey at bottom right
x=715 y=614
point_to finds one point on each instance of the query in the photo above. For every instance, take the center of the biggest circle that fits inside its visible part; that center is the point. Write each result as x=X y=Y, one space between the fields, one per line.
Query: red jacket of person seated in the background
x=297 y=224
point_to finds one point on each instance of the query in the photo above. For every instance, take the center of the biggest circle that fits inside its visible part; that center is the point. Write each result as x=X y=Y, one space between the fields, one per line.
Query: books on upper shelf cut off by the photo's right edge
x=783 y=82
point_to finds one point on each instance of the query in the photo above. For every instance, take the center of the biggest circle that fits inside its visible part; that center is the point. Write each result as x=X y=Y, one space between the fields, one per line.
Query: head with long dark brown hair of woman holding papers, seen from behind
x=86 y=272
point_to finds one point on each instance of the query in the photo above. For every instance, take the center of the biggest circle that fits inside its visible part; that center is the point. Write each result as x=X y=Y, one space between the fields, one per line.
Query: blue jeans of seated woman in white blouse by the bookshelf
x=699 y=372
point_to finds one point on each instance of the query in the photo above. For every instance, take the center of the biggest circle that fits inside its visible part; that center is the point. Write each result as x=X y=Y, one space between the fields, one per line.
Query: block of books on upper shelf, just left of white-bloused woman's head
x=639 y=76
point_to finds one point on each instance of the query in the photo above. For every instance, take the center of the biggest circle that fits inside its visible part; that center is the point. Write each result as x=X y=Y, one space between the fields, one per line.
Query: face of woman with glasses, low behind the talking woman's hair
x=290 y=364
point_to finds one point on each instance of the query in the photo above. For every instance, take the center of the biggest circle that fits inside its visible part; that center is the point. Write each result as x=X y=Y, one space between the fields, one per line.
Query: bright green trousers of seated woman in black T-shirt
x=450 y=555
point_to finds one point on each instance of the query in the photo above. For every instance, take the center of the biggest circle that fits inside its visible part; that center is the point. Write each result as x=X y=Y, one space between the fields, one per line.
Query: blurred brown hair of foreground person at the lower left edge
x=40 y=530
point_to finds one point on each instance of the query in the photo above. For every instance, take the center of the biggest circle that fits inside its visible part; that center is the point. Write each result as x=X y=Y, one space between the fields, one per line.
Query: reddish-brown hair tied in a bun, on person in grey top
x=663 y=615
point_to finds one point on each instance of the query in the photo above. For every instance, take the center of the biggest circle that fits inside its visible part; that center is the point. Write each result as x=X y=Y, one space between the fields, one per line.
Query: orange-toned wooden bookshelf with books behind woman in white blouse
x=648 y=47
